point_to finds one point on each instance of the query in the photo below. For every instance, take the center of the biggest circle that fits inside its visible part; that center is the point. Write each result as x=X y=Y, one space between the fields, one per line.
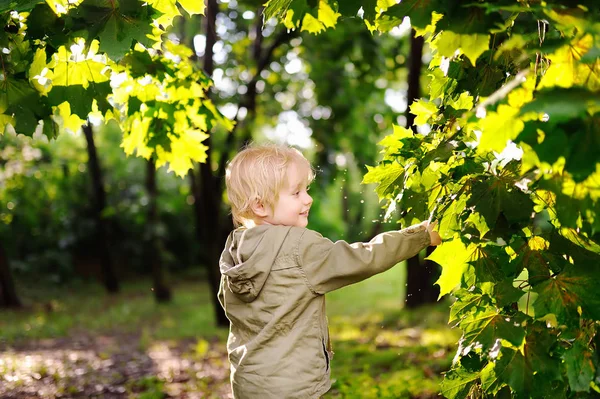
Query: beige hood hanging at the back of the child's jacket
x=248 y=256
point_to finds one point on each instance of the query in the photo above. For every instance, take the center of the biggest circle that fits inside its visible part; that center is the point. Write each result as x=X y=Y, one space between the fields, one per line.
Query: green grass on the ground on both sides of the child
x=381 y=350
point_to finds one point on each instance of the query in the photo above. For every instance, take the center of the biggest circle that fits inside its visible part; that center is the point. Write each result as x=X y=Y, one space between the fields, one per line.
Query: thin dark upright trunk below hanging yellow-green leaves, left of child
x=154 y=248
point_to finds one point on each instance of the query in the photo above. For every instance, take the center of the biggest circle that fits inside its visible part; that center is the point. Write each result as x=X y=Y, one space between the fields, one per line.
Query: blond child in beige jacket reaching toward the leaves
x=275 y=274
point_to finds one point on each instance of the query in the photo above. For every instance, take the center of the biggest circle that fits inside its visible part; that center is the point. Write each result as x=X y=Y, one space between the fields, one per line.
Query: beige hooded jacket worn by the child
x=272 y=289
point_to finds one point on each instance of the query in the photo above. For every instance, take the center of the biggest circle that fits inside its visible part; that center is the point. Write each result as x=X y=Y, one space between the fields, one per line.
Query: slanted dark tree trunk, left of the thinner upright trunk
x=102 y=245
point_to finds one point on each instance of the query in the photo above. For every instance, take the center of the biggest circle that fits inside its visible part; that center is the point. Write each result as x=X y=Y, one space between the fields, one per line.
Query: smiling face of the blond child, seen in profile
x=294 y=202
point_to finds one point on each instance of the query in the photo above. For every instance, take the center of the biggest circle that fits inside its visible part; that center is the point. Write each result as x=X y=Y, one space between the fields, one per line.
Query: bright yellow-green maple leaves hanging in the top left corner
x=64 y=62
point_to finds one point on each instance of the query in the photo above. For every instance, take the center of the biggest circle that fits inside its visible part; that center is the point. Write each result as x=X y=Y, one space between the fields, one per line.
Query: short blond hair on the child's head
x=256 y=175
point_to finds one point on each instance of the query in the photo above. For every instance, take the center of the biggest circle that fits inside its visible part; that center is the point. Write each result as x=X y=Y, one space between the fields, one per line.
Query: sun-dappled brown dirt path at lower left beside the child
x=113 y=366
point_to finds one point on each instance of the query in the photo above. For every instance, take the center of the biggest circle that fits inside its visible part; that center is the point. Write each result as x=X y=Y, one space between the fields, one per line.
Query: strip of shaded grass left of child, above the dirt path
x=87 y=307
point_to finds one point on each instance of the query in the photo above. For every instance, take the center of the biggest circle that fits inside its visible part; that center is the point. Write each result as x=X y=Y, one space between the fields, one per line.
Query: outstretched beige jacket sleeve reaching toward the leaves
x=329 y=265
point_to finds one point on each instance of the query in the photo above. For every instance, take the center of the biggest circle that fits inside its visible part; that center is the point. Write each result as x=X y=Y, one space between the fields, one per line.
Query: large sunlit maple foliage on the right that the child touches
x=510 y=169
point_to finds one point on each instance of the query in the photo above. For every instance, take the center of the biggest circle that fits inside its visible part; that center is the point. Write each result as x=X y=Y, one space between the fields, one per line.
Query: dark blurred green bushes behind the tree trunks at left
x=47 y=221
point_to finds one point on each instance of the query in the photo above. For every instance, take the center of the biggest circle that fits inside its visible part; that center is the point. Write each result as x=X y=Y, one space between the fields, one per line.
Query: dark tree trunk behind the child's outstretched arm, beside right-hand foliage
x=420 y=275
